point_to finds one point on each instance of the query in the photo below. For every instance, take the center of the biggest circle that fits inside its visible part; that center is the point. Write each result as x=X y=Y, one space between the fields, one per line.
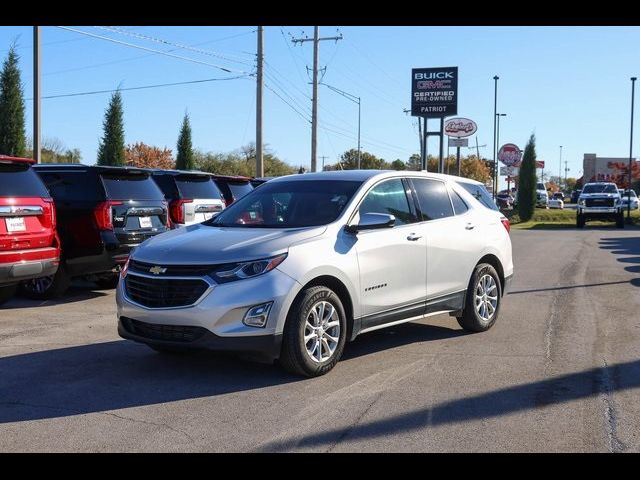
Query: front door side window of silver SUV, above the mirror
x=389 y=197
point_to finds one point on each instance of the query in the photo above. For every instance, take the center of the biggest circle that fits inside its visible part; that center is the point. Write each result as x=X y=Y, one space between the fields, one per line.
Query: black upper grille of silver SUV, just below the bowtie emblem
x=164 y=292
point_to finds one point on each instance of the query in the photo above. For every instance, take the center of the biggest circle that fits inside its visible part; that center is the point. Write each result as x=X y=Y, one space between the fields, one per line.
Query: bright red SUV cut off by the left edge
x=29 y=245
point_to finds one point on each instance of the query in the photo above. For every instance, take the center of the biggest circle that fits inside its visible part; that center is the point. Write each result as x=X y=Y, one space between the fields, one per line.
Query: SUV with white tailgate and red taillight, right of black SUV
x=192 y=196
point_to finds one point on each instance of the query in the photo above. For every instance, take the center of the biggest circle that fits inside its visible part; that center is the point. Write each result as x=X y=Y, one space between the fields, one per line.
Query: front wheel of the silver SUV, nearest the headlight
x=315 y=333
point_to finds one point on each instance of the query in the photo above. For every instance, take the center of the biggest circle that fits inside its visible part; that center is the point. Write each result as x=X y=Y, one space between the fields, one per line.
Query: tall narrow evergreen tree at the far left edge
x=12 y=133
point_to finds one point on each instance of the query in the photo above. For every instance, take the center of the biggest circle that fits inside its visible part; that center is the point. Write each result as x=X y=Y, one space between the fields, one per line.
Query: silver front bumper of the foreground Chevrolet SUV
x=220 y=312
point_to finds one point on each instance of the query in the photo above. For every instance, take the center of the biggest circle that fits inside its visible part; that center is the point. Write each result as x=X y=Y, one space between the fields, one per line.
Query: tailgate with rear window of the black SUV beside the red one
x=138 y=207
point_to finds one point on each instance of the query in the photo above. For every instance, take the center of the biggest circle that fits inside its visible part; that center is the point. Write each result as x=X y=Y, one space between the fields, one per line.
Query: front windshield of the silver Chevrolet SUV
x=289 y=204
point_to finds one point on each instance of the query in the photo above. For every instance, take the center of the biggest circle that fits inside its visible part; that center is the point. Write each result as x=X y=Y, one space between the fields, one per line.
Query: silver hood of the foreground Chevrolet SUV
x=201 y=244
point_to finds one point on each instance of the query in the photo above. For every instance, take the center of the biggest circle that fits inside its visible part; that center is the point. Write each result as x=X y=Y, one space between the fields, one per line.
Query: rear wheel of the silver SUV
x=482 y=303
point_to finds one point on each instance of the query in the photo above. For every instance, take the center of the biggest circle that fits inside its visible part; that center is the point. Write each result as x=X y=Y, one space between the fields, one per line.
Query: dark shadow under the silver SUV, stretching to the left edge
x=122 y=374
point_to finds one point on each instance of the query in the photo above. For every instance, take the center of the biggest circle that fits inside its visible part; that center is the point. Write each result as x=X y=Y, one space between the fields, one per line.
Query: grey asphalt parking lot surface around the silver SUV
x=560 y=371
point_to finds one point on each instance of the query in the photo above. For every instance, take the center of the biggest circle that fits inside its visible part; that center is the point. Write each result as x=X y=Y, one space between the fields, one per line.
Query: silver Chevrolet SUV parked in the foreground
x=306 y=263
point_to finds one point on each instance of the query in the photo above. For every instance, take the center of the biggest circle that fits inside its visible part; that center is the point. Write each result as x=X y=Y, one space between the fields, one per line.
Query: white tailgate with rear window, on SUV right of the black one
x=201 y=198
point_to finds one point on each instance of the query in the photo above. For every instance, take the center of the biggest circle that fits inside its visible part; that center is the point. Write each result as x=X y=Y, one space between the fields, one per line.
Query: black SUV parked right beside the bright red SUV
x=103 y=212
